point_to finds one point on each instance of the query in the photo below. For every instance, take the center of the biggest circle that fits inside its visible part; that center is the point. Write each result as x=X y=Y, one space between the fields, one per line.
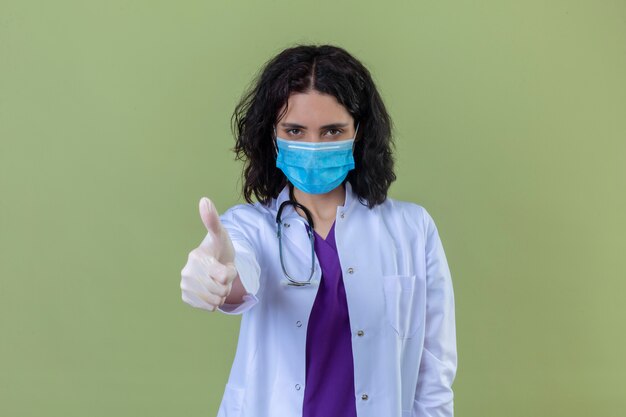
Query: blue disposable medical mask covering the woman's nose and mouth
x=315 y=167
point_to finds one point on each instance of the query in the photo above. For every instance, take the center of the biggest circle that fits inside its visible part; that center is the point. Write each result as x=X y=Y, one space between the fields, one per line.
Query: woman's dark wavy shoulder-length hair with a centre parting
x=329 y=70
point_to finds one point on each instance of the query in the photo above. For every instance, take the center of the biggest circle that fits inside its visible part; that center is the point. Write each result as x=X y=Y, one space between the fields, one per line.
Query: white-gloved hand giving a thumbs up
x=210 y=270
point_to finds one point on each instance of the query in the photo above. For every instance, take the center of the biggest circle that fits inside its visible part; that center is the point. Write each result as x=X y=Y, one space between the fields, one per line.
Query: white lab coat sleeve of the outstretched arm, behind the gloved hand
x=245 y=262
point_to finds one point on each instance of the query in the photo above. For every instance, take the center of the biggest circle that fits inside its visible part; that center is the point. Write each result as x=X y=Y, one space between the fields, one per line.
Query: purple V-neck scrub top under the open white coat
x=329 y=387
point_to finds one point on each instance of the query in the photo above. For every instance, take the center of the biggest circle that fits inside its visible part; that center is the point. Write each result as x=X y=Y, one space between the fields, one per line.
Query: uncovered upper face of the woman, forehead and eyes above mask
x=315 y=117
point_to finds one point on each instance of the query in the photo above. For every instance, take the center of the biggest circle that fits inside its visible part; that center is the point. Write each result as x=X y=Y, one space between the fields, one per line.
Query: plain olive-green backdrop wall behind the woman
x=510 y=122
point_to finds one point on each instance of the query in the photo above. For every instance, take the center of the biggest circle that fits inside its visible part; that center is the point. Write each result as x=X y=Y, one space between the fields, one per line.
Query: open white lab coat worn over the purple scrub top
x=400 y=303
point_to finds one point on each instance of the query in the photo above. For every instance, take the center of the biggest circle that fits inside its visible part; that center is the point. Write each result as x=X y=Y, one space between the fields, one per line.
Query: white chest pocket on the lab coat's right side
x=401 y=299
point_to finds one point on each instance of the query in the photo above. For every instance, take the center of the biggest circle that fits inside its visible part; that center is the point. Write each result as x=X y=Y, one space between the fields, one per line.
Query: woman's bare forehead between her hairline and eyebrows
x=314 y=108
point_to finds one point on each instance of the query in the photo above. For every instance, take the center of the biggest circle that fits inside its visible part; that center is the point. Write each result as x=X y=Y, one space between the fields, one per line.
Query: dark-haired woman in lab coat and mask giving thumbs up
x=346 y=295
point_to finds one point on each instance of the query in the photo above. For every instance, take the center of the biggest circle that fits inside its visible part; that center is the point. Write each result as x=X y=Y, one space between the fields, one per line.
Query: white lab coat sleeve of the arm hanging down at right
x=434 y=396
